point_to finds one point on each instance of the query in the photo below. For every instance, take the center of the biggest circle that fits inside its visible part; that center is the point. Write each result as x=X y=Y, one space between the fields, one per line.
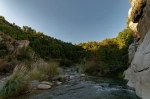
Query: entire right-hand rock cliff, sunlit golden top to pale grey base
x=138 y=74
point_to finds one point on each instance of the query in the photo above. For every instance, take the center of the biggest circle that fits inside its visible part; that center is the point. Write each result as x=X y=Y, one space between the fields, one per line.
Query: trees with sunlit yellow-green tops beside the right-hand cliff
x=109 y=57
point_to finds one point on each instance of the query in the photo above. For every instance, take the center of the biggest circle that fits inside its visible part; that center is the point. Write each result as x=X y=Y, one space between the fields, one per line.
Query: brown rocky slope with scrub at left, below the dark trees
x=10 y=50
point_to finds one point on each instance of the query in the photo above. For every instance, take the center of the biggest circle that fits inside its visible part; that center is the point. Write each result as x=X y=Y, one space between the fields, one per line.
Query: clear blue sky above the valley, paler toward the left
x=73 y=21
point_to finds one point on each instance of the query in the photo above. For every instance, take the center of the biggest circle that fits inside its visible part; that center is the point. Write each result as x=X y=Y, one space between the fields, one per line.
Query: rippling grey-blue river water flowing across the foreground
x=87 y=88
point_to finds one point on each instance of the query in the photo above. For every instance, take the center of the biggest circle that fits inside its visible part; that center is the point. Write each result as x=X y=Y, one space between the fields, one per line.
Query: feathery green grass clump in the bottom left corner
x=16 y=84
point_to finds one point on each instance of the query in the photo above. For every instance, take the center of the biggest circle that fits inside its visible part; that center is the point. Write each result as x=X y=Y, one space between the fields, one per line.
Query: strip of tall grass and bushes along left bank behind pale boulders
x=18 y=82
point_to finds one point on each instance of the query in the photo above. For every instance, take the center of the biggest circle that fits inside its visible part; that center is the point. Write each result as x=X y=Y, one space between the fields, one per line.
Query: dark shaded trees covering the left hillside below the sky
x=47 y=47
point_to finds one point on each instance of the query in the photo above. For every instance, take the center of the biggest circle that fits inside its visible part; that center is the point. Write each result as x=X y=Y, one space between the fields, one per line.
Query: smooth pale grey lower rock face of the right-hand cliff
x=138 y=73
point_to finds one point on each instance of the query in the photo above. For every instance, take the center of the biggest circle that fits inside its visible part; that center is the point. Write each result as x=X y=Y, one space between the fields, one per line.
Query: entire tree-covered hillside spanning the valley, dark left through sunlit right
x=106 y=58
